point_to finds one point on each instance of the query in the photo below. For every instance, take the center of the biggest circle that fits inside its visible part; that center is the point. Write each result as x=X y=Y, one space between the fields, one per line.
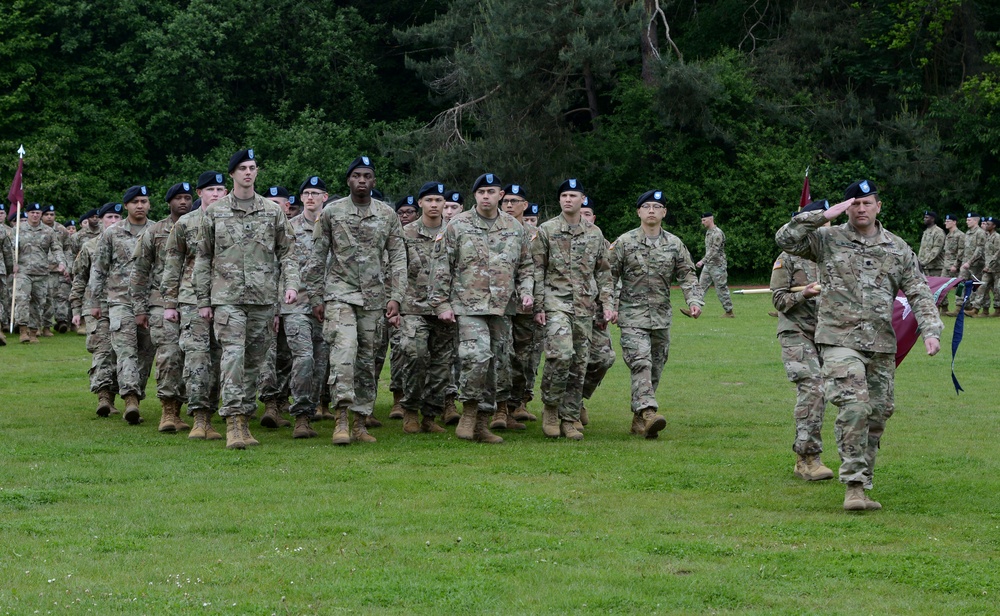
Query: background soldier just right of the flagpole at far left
x=39 y=250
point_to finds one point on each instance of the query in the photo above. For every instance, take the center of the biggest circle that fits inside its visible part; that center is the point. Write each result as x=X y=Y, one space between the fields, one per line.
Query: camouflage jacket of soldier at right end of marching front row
x=642 y=269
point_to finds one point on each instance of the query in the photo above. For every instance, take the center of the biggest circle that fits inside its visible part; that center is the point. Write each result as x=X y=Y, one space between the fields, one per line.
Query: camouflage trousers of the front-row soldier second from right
x=567 y=349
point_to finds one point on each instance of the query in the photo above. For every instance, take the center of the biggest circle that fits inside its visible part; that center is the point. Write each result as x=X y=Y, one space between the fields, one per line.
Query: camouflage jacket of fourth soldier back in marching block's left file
x=112 y=265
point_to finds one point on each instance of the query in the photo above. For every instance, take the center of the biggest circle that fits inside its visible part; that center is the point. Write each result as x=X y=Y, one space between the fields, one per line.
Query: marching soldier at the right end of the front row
x=643 y=263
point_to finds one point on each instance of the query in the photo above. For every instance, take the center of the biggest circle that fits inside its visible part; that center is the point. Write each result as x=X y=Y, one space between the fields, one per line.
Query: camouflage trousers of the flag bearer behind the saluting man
x=804 y=368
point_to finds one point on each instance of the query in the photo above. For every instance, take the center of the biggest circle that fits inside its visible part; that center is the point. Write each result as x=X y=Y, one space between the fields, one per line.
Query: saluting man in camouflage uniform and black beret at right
x=861 y=266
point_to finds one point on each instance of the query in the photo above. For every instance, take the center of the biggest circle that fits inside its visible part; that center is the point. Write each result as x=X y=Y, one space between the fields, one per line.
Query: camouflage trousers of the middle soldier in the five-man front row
x=480 y=342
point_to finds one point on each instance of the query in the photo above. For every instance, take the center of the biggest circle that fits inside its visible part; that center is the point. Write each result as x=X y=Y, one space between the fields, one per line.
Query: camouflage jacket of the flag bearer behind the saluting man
x=796 y=313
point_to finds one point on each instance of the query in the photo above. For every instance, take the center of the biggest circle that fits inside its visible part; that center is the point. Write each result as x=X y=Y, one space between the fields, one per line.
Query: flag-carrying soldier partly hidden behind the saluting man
x=796 y=333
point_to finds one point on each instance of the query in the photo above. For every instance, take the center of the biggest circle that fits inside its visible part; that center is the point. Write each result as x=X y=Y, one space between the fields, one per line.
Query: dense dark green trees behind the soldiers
x=721 y=103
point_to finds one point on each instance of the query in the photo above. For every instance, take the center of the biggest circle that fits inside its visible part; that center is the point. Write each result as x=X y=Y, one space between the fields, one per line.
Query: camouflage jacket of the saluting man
x=860 y=277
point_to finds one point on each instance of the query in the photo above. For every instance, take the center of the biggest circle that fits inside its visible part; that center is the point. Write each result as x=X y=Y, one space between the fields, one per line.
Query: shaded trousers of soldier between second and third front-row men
x=426 y=348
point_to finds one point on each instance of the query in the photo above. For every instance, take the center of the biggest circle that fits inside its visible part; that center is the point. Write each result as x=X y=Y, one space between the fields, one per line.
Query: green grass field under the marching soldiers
x=98 y=517
